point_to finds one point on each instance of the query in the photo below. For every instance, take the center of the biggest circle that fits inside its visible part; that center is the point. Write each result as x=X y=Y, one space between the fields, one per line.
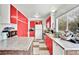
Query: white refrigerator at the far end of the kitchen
x=38 y=31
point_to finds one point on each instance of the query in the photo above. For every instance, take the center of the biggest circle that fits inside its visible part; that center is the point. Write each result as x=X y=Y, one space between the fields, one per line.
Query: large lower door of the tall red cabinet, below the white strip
x=22 y=29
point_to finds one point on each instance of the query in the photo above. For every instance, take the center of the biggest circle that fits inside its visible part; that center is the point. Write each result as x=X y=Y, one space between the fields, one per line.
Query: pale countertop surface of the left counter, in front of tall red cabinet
x=16 y=43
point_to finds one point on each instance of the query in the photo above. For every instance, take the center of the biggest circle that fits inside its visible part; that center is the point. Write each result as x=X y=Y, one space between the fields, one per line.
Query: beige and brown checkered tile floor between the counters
x=39 y=48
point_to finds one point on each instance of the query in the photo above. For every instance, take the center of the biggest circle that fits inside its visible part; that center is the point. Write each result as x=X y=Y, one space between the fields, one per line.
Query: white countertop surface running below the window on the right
x=64 y=44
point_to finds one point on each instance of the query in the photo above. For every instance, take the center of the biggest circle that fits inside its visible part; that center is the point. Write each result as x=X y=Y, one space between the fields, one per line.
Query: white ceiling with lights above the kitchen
x=44 y=10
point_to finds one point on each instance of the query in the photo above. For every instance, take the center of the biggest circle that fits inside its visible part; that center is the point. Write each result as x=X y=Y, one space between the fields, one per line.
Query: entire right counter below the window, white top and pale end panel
x=62 y=47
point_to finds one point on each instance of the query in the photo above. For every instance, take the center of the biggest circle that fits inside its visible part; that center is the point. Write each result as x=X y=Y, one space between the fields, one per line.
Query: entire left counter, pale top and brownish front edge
x=16 y=45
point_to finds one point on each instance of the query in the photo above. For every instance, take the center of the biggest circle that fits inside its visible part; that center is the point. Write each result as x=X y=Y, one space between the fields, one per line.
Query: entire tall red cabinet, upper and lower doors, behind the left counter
x=22 y=25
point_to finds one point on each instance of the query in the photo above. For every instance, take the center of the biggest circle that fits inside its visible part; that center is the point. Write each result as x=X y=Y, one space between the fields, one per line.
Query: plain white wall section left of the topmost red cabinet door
x=4 y=13
